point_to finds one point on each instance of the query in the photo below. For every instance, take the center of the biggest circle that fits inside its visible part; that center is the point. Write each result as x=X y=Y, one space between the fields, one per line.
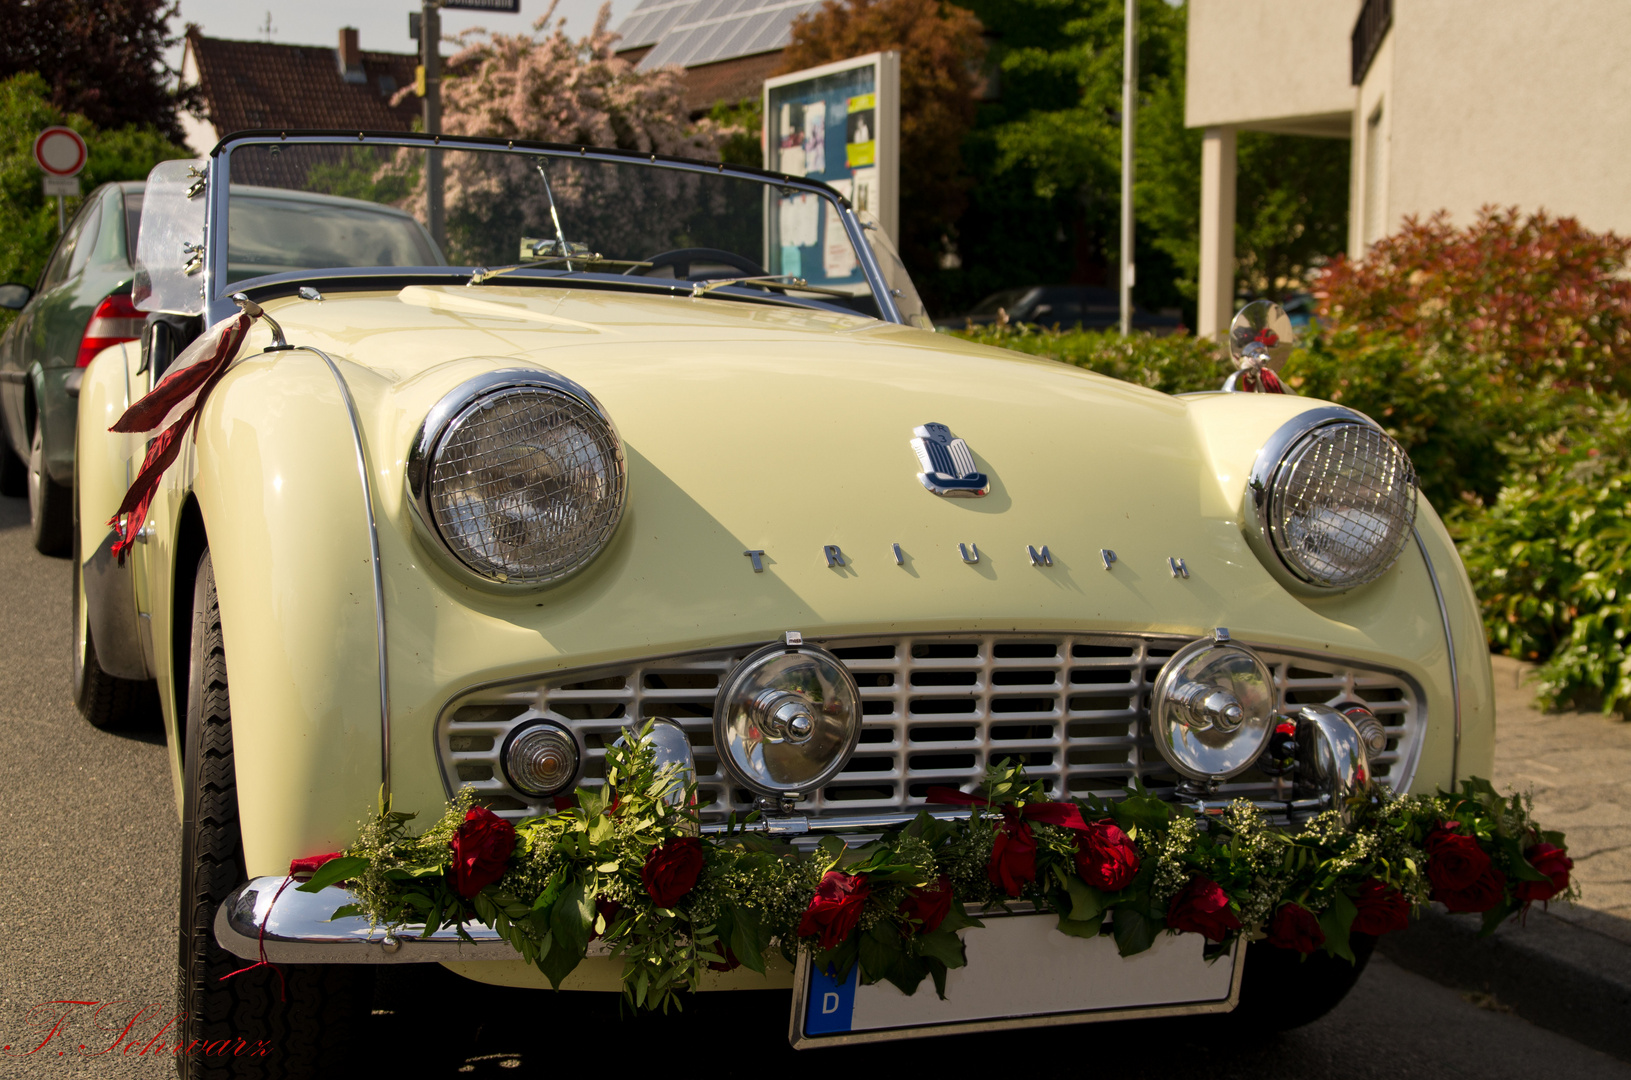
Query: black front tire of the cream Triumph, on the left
x=307 y=1022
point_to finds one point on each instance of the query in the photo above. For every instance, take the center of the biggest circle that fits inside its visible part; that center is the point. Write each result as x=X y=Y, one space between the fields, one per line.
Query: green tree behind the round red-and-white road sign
x=29 y=219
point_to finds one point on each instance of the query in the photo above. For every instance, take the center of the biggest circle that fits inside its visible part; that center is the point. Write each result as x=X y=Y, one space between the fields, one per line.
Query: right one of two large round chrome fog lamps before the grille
x=1213 y=709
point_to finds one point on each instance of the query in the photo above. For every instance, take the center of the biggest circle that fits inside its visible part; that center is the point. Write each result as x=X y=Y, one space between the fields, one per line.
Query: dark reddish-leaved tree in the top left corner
x=102 y=60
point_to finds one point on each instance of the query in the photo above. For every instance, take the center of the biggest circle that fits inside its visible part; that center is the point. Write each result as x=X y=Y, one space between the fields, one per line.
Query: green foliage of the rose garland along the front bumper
x=577 y=875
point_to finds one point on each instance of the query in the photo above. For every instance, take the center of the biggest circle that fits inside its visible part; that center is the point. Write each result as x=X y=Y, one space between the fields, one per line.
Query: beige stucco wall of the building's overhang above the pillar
x=1271 y=64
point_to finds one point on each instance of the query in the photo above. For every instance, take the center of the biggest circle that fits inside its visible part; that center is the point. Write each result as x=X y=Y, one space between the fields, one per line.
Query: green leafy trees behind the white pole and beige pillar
x=1048 y=154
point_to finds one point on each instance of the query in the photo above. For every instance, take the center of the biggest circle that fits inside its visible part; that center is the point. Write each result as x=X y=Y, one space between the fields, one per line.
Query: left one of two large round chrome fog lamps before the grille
x=787 y=720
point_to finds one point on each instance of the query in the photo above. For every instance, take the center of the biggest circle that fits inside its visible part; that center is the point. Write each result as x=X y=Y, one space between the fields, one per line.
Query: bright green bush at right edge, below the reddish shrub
x=1552 y=559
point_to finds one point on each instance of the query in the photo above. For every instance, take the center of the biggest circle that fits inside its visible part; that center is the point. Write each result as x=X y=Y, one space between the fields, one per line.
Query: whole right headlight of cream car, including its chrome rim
x=1332 y=502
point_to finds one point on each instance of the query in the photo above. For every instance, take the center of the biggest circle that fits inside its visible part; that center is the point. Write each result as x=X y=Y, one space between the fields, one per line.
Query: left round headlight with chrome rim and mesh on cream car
x=519 y=477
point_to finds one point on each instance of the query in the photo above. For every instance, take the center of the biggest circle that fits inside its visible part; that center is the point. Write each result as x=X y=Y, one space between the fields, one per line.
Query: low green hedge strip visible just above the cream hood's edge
x=1174 y=365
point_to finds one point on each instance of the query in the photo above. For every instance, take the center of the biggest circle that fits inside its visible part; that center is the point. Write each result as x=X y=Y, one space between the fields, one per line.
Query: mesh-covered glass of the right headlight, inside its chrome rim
x=1341 y=505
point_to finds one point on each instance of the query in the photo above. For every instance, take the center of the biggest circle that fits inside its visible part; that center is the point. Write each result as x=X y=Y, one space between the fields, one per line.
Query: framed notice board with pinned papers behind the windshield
x=841 y=125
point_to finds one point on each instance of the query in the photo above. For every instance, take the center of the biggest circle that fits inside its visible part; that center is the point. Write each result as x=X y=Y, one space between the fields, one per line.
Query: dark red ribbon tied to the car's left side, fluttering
x=198 y=370
